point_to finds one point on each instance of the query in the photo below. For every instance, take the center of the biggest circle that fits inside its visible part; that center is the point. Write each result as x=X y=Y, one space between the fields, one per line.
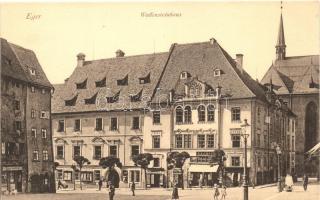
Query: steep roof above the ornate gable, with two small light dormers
x=200 y=60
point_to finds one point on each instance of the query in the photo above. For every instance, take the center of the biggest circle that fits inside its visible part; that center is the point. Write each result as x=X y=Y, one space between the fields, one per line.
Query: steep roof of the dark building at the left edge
x=21 y=60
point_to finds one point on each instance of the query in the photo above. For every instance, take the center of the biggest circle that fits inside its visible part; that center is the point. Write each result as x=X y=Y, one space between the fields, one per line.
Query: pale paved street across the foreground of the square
x=259 y=193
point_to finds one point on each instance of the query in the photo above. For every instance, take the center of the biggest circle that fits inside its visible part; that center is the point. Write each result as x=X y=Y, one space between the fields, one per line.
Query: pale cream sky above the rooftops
x=57 y=32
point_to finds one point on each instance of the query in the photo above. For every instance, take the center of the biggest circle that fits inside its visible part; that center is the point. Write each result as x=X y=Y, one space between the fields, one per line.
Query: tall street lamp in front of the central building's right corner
x=245 y=136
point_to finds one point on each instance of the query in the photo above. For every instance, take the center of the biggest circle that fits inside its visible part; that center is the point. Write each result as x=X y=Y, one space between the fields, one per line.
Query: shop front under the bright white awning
x=203 y=175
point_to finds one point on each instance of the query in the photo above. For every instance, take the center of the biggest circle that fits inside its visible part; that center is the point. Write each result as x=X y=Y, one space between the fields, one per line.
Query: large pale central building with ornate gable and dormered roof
x=193 y=98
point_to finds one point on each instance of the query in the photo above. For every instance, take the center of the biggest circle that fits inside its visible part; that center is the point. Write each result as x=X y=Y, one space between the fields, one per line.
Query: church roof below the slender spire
x=295 y=73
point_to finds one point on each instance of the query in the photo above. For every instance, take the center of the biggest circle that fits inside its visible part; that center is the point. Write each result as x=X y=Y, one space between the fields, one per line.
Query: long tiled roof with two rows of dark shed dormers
x=113 y=69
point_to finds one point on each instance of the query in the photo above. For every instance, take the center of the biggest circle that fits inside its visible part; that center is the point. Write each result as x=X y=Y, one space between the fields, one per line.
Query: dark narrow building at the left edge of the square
x=26 y=140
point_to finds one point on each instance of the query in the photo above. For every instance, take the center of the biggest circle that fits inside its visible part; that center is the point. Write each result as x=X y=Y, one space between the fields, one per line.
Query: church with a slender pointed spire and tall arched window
x=296 y=80
